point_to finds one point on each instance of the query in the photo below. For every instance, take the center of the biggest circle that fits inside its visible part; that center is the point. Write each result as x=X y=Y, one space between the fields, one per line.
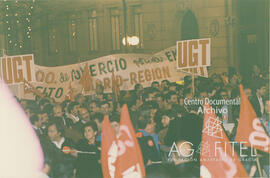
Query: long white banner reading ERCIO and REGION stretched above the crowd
x=129 y=69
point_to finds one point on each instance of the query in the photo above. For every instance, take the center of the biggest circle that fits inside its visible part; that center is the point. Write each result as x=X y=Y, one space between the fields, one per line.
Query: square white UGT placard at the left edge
x=14 y=69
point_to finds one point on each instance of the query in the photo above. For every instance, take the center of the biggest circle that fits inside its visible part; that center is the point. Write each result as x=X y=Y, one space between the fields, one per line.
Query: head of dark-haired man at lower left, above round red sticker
x=55 y=130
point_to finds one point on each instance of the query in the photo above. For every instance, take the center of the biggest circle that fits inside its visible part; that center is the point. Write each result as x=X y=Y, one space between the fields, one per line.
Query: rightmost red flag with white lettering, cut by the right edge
x=250 y=130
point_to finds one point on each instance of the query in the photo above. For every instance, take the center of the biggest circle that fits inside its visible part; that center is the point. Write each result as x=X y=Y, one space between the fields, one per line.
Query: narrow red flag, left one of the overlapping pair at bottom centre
x=108 y=149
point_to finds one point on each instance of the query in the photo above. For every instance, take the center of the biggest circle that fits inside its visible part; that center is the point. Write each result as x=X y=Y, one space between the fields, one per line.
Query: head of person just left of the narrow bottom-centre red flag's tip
x=90 y=131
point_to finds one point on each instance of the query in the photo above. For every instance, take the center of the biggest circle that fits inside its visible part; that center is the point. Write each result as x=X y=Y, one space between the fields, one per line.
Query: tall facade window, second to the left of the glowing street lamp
x=93 y=36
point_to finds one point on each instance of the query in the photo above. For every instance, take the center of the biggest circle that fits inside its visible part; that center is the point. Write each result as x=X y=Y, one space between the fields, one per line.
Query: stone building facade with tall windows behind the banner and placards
x=66 y=32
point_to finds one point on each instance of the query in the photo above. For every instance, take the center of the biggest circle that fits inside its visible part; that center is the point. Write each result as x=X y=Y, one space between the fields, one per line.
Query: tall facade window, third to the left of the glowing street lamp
x=72 y=34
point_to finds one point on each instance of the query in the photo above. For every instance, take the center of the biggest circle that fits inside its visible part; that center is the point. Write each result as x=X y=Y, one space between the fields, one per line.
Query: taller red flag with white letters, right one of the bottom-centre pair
x=129 y=160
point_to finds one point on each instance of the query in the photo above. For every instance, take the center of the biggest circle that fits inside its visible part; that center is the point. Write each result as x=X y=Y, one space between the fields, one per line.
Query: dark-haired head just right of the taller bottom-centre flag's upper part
x=145 y=122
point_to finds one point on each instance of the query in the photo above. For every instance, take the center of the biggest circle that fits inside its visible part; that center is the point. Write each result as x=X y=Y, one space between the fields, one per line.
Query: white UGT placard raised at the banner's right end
x=193 y=53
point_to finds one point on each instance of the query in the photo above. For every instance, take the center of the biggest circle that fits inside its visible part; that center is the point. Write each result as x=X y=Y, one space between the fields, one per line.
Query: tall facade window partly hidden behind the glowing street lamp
x=138 y=24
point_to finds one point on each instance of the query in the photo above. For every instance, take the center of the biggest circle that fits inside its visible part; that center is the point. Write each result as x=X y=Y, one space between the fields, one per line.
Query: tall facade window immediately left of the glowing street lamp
x=115 y=28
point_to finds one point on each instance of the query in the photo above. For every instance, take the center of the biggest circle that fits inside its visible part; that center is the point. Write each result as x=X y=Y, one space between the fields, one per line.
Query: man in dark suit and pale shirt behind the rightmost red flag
x=258 y=98
